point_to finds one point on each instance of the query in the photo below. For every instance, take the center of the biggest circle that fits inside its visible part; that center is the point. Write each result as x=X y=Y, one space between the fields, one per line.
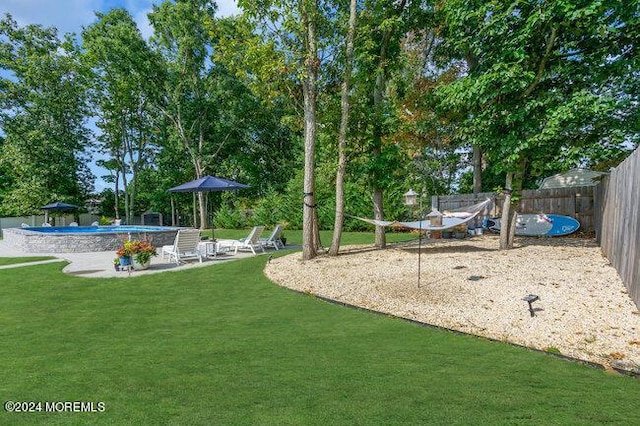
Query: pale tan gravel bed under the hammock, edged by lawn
x=583 y=311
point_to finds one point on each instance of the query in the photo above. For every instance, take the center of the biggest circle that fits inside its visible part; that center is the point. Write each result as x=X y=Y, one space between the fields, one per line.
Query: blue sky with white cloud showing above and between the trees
x=72 y=15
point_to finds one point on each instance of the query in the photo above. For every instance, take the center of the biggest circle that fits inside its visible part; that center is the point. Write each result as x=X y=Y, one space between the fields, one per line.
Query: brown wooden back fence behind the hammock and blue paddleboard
x=577 y=202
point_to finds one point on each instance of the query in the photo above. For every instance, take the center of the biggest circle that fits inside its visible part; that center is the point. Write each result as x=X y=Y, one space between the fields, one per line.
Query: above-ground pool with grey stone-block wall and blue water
x=82 y=239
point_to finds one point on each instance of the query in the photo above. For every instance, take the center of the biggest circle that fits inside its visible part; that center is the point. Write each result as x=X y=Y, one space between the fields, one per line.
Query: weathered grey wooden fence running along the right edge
x=617 y=199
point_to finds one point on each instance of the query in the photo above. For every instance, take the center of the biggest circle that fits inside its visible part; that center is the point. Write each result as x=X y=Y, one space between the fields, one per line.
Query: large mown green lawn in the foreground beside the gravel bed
x=223 y=345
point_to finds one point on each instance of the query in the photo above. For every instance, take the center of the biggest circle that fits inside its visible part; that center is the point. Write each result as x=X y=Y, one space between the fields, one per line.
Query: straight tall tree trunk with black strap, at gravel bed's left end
x=310 y=234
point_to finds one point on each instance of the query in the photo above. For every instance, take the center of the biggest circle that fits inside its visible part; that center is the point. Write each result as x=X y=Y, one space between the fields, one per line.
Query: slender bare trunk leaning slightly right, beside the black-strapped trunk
x=342 y=136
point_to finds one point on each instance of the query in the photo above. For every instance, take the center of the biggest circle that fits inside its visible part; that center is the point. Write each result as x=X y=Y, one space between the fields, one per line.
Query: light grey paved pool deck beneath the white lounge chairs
x=100 y=264
